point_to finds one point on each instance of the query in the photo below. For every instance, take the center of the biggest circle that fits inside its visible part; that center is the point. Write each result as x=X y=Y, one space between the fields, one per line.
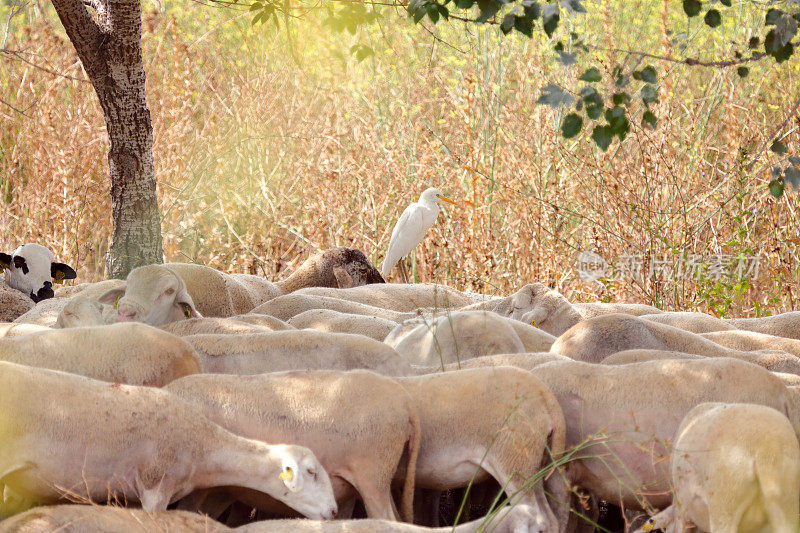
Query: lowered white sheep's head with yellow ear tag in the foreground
x=309 y=487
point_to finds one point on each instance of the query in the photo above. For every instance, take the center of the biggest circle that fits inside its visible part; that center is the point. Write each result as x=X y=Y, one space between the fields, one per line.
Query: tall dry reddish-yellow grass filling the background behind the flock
x=268 y=147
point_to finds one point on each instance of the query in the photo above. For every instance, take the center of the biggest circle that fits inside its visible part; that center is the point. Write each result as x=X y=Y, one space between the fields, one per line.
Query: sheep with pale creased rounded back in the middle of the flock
x=458 y=336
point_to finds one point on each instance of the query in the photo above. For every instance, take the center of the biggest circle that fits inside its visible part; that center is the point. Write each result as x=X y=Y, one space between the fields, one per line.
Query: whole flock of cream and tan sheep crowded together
x=238 y=402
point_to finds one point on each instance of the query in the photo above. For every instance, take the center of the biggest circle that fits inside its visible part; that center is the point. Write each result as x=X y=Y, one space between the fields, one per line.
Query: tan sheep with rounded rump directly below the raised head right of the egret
x=596 y=338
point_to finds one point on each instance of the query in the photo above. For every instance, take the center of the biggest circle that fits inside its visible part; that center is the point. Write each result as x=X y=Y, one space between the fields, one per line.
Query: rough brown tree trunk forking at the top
x=109 y=46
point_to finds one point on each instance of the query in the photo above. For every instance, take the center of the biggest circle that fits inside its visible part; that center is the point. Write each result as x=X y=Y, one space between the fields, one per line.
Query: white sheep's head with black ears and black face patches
x=32 y=269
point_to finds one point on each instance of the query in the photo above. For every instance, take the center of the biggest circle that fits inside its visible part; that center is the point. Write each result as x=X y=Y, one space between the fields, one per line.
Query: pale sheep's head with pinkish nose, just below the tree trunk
x=152 y=294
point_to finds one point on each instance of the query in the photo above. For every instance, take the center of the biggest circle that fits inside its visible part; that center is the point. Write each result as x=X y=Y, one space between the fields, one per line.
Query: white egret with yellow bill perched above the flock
x=414 y=223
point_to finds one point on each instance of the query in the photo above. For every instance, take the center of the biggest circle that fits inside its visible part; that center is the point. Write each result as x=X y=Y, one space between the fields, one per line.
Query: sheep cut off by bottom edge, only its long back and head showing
x=520 y=518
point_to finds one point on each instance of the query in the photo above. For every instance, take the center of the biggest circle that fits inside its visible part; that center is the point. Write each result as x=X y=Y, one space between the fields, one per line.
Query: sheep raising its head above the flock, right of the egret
x=535 y=304
